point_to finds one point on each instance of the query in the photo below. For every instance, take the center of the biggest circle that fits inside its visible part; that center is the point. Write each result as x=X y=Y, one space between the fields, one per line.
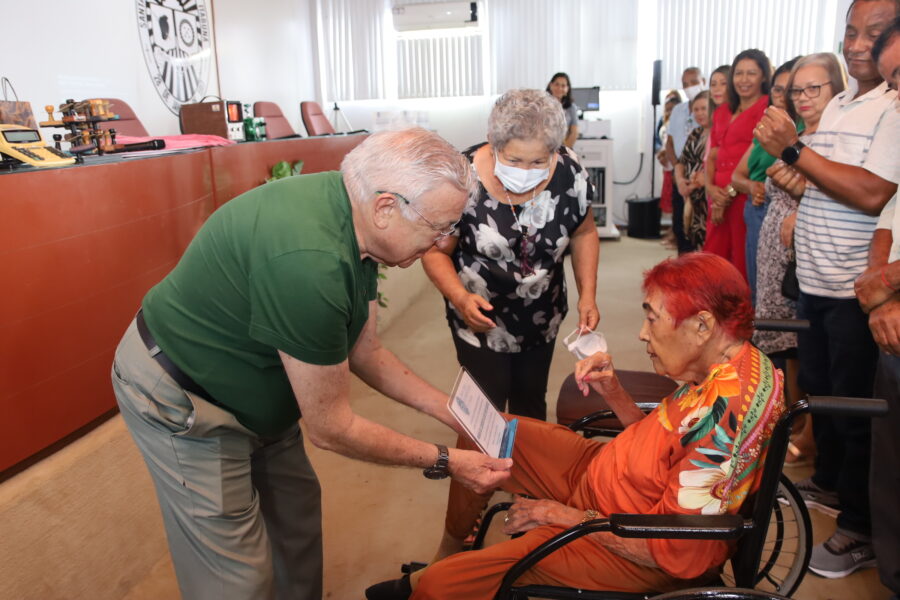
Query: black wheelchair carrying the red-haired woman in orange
x=773 y=532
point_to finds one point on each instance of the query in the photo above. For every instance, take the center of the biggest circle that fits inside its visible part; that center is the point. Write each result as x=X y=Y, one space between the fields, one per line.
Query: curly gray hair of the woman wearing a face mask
x=527 y=115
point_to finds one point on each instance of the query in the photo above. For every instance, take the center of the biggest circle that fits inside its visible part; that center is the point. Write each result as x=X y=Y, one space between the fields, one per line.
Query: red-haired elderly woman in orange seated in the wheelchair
x=699 y=452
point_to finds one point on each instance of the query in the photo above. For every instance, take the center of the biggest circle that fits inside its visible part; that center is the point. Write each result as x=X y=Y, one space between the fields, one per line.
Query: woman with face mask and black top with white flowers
x=503 y=278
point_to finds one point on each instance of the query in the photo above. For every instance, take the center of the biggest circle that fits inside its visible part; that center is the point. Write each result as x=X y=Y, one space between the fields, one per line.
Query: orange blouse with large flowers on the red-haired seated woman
x=700 y=452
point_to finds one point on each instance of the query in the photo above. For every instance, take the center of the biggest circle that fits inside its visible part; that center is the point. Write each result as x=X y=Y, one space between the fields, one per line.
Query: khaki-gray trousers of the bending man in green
x=242 y=513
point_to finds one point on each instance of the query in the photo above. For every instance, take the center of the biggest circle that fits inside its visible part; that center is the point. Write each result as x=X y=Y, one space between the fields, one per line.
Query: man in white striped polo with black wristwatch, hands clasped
x=850 y=171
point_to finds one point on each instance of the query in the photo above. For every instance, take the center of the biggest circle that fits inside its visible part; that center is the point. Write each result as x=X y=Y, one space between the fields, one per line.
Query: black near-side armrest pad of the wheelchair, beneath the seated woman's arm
x=677 y=527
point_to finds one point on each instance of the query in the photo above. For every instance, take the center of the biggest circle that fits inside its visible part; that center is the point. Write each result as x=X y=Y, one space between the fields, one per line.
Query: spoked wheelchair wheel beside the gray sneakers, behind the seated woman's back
x=788 y=544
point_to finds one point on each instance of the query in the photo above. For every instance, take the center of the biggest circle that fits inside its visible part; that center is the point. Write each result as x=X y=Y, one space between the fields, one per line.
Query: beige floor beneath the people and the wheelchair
x=76 y=537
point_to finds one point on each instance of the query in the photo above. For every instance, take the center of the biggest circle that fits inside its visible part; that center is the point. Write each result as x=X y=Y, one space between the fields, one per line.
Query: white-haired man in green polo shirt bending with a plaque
x=263 y=319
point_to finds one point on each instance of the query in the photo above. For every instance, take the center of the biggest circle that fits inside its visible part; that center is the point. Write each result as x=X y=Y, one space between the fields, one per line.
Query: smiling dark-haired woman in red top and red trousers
x=731 y=135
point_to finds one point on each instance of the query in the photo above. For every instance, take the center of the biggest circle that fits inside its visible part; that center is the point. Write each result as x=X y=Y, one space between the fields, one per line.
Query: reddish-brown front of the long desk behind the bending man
x=79 y=248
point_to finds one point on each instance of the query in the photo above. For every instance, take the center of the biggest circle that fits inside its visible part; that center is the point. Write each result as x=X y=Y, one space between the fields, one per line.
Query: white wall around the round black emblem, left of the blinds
x=91 y=48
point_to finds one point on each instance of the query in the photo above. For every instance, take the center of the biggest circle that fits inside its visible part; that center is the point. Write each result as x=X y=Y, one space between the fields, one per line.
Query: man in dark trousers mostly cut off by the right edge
x=878 y=291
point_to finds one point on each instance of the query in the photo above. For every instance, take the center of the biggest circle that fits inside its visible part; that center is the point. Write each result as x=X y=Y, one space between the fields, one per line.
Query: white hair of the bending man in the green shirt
x=409 y=161
